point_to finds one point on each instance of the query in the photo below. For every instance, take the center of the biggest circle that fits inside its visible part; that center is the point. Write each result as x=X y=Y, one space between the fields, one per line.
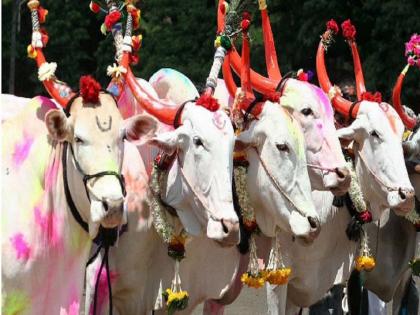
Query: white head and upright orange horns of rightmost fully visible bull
x=377 y=132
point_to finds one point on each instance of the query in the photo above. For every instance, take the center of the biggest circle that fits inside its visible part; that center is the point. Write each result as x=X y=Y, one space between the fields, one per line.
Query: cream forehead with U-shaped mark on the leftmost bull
x=94 y=121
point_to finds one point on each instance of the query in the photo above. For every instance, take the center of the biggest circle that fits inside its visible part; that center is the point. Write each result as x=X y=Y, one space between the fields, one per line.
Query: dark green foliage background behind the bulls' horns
x=180 y=34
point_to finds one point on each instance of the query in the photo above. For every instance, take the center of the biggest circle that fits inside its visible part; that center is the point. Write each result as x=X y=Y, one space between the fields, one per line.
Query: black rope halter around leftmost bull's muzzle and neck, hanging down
x=106 y=237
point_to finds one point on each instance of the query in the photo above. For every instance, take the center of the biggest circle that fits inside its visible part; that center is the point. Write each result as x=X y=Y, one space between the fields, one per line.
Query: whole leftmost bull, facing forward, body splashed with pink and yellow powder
x=62 y=188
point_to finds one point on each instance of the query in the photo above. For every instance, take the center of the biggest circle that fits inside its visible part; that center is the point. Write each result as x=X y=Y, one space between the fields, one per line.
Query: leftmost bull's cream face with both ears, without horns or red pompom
x=95 y=133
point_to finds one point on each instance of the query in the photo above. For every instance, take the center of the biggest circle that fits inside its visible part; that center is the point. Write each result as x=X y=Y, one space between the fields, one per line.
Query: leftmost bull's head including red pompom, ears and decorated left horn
x=93 y=130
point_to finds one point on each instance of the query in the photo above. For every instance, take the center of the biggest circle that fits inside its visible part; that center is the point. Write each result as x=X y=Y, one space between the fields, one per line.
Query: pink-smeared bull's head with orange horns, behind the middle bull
x=309 y=105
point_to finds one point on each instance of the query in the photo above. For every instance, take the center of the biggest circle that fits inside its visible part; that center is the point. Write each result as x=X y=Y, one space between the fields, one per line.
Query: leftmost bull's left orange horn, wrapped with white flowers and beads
x=57 y=89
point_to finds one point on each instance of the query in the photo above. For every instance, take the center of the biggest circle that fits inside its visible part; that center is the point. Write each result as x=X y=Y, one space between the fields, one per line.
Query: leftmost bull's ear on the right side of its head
x=140 y=126
